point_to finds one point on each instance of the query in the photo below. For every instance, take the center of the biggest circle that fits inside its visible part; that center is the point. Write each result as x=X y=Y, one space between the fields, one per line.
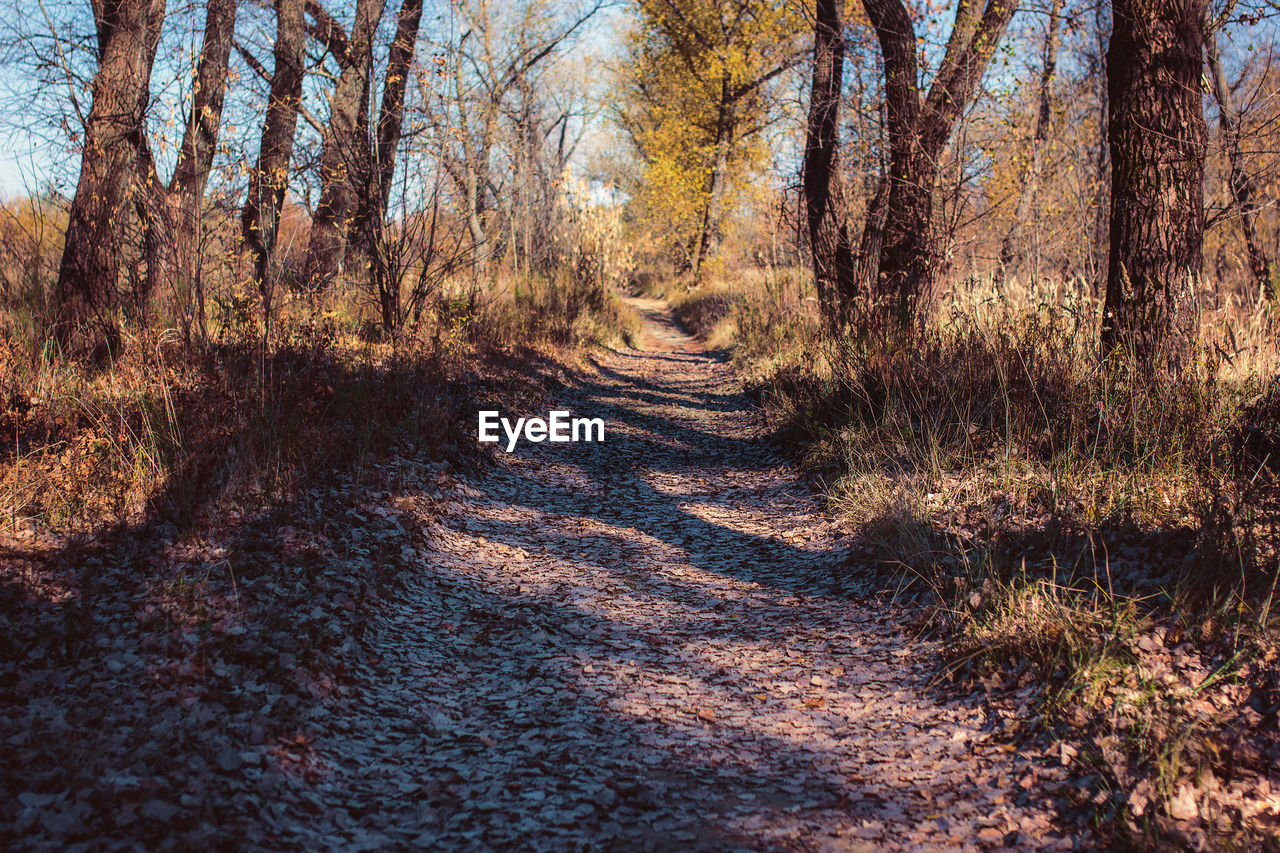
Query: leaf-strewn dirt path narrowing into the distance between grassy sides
x=637 y=646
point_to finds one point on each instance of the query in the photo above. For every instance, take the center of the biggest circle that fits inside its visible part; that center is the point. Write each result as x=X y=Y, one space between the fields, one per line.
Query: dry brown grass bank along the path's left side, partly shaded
x=182 y=431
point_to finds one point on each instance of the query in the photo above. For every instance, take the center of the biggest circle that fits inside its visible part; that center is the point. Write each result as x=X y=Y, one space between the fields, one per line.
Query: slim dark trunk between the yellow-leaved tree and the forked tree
x=826 y=211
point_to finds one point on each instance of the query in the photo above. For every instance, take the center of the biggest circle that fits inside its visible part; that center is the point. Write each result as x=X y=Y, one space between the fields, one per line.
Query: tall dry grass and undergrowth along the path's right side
x=1108 y=540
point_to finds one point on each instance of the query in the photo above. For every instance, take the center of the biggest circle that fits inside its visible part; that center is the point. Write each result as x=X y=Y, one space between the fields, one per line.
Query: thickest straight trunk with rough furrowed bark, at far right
x=1156 y=131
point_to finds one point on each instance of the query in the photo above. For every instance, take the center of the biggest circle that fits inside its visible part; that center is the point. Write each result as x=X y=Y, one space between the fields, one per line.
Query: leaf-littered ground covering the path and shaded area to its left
x=646 y=644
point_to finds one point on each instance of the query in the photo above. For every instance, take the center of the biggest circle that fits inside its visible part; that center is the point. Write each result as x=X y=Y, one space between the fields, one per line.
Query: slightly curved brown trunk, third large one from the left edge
x=260 y=220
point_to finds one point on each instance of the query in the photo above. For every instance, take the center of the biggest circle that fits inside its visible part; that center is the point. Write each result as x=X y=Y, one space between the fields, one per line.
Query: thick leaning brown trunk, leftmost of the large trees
x=86 y=295
